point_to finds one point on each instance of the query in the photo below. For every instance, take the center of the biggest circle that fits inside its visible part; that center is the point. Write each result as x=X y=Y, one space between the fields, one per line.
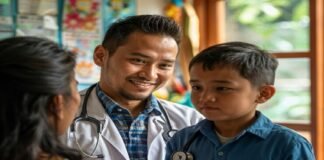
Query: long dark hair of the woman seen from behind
x=33 y=71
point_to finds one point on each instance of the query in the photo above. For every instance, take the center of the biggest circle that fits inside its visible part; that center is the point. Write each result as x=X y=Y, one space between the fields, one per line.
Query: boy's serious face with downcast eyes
x=222 y=94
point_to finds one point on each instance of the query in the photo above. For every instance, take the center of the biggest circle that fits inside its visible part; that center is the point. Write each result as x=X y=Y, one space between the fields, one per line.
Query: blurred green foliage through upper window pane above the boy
x=277 y=25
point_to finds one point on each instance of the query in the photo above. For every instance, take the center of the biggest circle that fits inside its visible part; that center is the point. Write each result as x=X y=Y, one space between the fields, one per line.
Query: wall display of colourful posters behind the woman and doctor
x=78 y=25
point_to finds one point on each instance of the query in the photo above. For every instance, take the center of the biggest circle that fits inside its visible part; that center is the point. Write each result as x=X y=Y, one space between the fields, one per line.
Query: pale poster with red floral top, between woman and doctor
x=81 y=34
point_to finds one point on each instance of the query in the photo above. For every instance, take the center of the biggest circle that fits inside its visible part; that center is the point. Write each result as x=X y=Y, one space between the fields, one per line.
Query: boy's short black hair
x=253 y=63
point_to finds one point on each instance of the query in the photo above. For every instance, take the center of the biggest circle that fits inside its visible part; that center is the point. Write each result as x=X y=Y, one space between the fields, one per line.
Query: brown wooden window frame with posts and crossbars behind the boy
x=211 y=15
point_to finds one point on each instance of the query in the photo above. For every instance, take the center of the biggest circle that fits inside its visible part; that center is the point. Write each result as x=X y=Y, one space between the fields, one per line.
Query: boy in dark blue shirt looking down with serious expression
x=228 y=82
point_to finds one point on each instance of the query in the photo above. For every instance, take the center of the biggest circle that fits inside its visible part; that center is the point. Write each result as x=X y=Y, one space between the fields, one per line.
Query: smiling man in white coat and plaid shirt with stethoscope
x=121 y=119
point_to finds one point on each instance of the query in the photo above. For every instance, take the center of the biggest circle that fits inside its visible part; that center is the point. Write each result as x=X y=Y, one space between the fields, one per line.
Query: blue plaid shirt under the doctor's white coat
x=132 y=130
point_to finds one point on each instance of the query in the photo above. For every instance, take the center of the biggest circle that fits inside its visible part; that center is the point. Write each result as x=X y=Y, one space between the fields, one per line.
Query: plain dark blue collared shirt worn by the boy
x=263 y=140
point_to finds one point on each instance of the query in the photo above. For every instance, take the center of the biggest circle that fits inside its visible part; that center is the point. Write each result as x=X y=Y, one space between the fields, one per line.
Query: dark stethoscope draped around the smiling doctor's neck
x=167 y=133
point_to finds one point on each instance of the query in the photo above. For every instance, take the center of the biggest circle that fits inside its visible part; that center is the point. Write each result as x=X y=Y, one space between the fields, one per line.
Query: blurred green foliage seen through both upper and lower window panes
x=277 y=26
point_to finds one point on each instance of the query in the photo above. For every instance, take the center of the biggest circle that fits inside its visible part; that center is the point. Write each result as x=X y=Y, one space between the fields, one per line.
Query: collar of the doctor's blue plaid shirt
x=152 y=105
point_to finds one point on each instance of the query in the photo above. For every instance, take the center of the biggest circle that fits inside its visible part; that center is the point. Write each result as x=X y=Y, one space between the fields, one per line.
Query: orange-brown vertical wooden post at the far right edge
x=317 y=76
